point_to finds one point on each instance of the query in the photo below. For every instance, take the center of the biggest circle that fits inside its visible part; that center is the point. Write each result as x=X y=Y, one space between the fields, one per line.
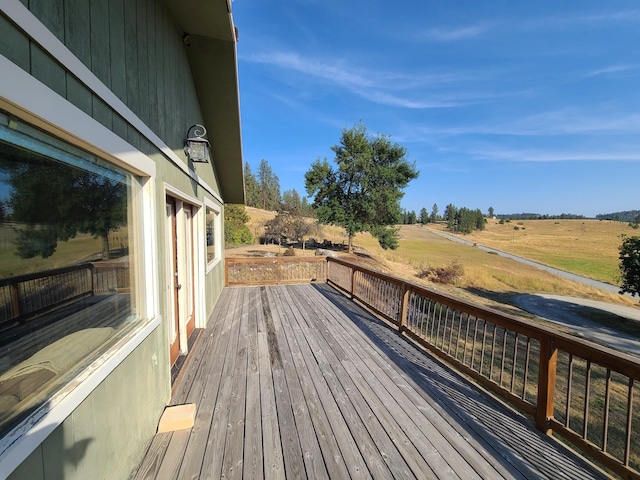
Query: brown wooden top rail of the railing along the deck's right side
x=607 y=357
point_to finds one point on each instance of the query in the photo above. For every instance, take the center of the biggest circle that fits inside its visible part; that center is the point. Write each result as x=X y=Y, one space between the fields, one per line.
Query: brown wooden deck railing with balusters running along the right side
x=584 y=392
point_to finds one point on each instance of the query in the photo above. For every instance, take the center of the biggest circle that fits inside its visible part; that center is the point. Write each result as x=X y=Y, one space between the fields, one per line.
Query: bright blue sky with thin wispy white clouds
x=522 y=106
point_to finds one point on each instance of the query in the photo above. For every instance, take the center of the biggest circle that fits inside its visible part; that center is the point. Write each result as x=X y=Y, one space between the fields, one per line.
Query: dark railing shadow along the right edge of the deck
x=508 y=436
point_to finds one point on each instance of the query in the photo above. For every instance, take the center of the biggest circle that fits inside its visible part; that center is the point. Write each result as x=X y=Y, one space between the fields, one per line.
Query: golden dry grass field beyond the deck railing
x=578 y=246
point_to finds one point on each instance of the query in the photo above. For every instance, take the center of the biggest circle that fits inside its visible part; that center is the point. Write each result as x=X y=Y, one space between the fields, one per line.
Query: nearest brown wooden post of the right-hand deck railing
x=546 y=383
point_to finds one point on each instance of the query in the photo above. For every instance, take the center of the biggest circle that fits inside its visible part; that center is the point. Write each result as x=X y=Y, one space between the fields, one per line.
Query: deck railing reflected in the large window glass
x=24 y=296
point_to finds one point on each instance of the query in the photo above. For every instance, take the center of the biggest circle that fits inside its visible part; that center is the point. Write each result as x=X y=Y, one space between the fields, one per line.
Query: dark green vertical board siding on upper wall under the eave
x=133 y=47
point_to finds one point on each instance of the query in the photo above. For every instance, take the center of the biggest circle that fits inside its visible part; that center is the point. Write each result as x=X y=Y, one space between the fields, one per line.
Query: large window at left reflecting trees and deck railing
x=68 y=263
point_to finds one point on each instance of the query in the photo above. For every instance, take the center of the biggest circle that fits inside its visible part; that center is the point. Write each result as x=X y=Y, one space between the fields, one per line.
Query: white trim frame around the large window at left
x=35 y=103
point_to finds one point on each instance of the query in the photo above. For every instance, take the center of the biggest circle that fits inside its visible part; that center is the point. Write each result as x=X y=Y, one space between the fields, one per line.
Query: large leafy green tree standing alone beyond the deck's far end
x=363 y=192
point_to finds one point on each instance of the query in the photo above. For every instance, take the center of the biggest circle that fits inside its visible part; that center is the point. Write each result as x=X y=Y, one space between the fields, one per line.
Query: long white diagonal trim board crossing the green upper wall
x=39 y=33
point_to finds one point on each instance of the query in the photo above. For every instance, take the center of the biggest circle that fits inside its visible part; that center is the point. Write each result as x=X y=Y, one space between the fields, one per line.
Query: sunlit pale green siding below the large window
x=108 y=433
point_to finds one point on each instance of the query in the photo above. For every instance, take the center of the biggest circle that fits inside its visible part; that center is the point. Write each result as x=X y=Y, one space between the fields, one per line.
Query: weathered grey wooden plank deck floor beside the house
x=299 y=382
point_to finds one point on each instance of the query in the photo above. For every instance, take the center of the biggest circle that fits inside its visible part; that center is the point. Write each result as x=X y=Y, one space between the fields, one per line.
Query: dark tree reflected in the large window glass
x=55 y=202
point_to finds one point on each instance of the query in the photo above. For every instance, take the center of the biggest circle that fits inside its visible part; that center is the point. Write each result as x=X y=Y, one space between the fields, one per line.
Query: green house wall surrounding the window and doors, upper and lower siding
x=136 y=51
